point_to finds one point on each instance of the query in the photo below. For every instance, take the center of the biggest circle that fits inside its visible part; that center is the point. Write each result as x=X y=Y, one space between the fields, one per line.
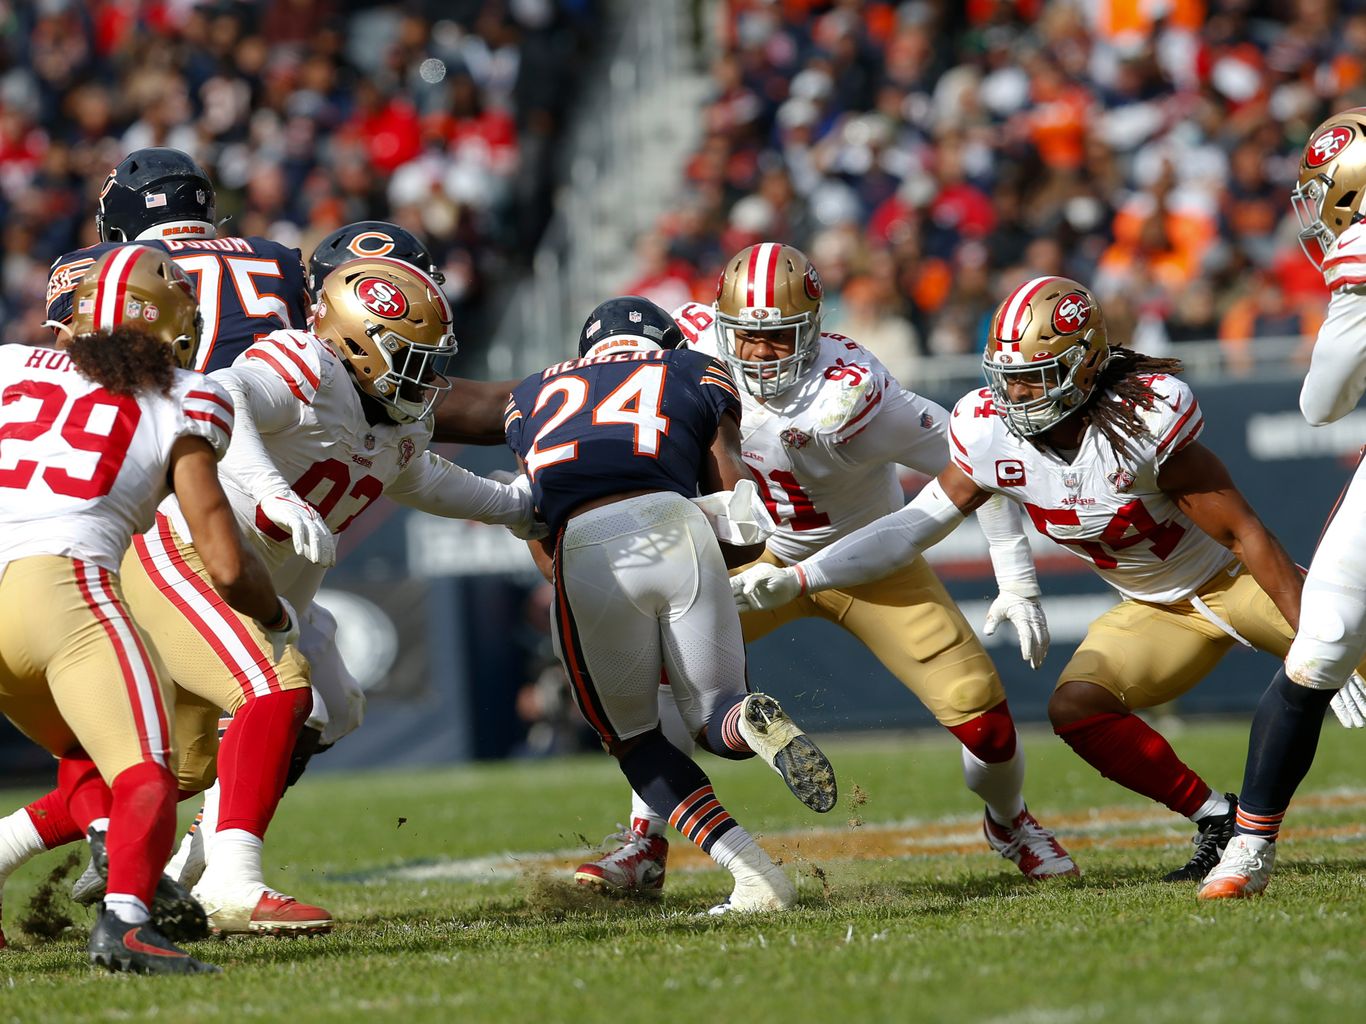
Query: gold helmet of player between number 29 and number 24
x=393 y=327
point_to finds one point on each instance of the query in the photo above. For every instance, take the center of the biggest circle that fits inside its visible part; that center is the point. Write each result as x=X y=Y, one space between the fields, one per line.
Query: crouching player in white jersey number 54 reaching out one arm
x=1099 y=444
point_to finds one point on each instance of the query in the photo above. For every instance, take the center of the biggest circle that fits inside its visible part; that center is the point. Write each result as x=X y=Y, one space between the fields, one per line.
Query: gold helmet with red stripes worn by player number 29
x=144 y=289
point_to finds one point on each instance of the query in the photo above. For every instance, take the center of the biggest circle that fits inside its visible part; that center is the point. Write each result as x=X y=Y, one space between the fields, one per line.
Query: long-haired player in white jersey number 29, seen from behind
x=95 y=438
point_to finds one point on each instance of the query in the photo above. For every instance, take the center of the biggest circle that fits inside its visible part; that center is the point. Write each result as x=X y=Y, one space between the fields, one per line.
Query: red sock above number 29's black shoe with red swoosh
x=141 y=829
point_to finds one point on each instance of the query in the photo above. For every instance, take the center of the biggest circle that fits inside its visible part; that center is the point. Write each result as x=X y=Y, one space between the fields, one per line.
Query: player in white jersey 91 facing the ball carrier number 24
x=823 y=428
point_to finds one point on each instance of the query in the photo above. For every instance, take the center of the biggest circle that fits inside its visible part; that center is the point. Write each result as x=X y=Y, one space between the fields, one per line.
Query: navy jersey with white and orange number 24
x=624 y=421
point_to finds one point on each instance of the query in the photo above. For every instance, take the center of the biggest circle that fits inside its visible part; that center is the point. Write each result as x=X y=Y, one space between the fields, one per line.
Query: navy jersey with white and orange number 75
x=248 y=287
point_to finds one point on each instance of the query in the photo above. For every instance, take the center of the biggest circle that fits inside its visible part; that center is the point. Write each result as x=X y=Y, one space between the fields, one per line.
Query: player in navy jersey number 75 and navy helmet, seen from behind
x=248 y=287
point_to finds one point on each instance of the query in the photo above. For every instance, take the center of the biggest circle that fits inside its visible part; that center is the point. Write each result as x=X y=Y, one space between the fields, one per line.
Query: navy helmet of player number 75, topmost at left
x=155 y=188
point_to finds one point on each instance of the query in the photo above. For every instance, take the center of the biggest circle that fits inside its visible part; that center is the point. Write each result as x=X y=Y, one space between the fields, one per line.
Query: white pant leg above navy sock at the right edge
x=1333 y=615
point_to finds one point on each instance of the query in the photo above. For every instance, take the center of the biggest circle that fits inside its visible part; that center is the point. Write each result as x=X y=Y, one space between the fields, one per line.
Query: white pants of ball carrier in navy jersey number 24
x=641 y=586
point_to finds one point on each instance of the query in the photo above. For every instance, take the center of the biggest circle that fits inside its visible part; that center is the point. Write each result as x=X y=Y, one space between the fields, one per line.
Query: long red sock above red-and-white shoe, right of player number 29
x=255 y=758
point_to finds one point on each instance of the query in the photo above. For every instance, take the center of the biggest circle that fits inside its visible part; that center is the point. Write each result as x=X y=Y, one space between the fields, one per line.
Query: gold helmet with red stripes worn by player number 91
x=770 y=287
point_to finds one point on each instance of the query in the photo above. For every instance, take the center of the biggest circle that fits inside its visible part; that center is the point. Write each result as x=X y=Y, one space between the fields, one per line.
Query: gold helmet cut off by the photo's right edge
x=1333 y=180
